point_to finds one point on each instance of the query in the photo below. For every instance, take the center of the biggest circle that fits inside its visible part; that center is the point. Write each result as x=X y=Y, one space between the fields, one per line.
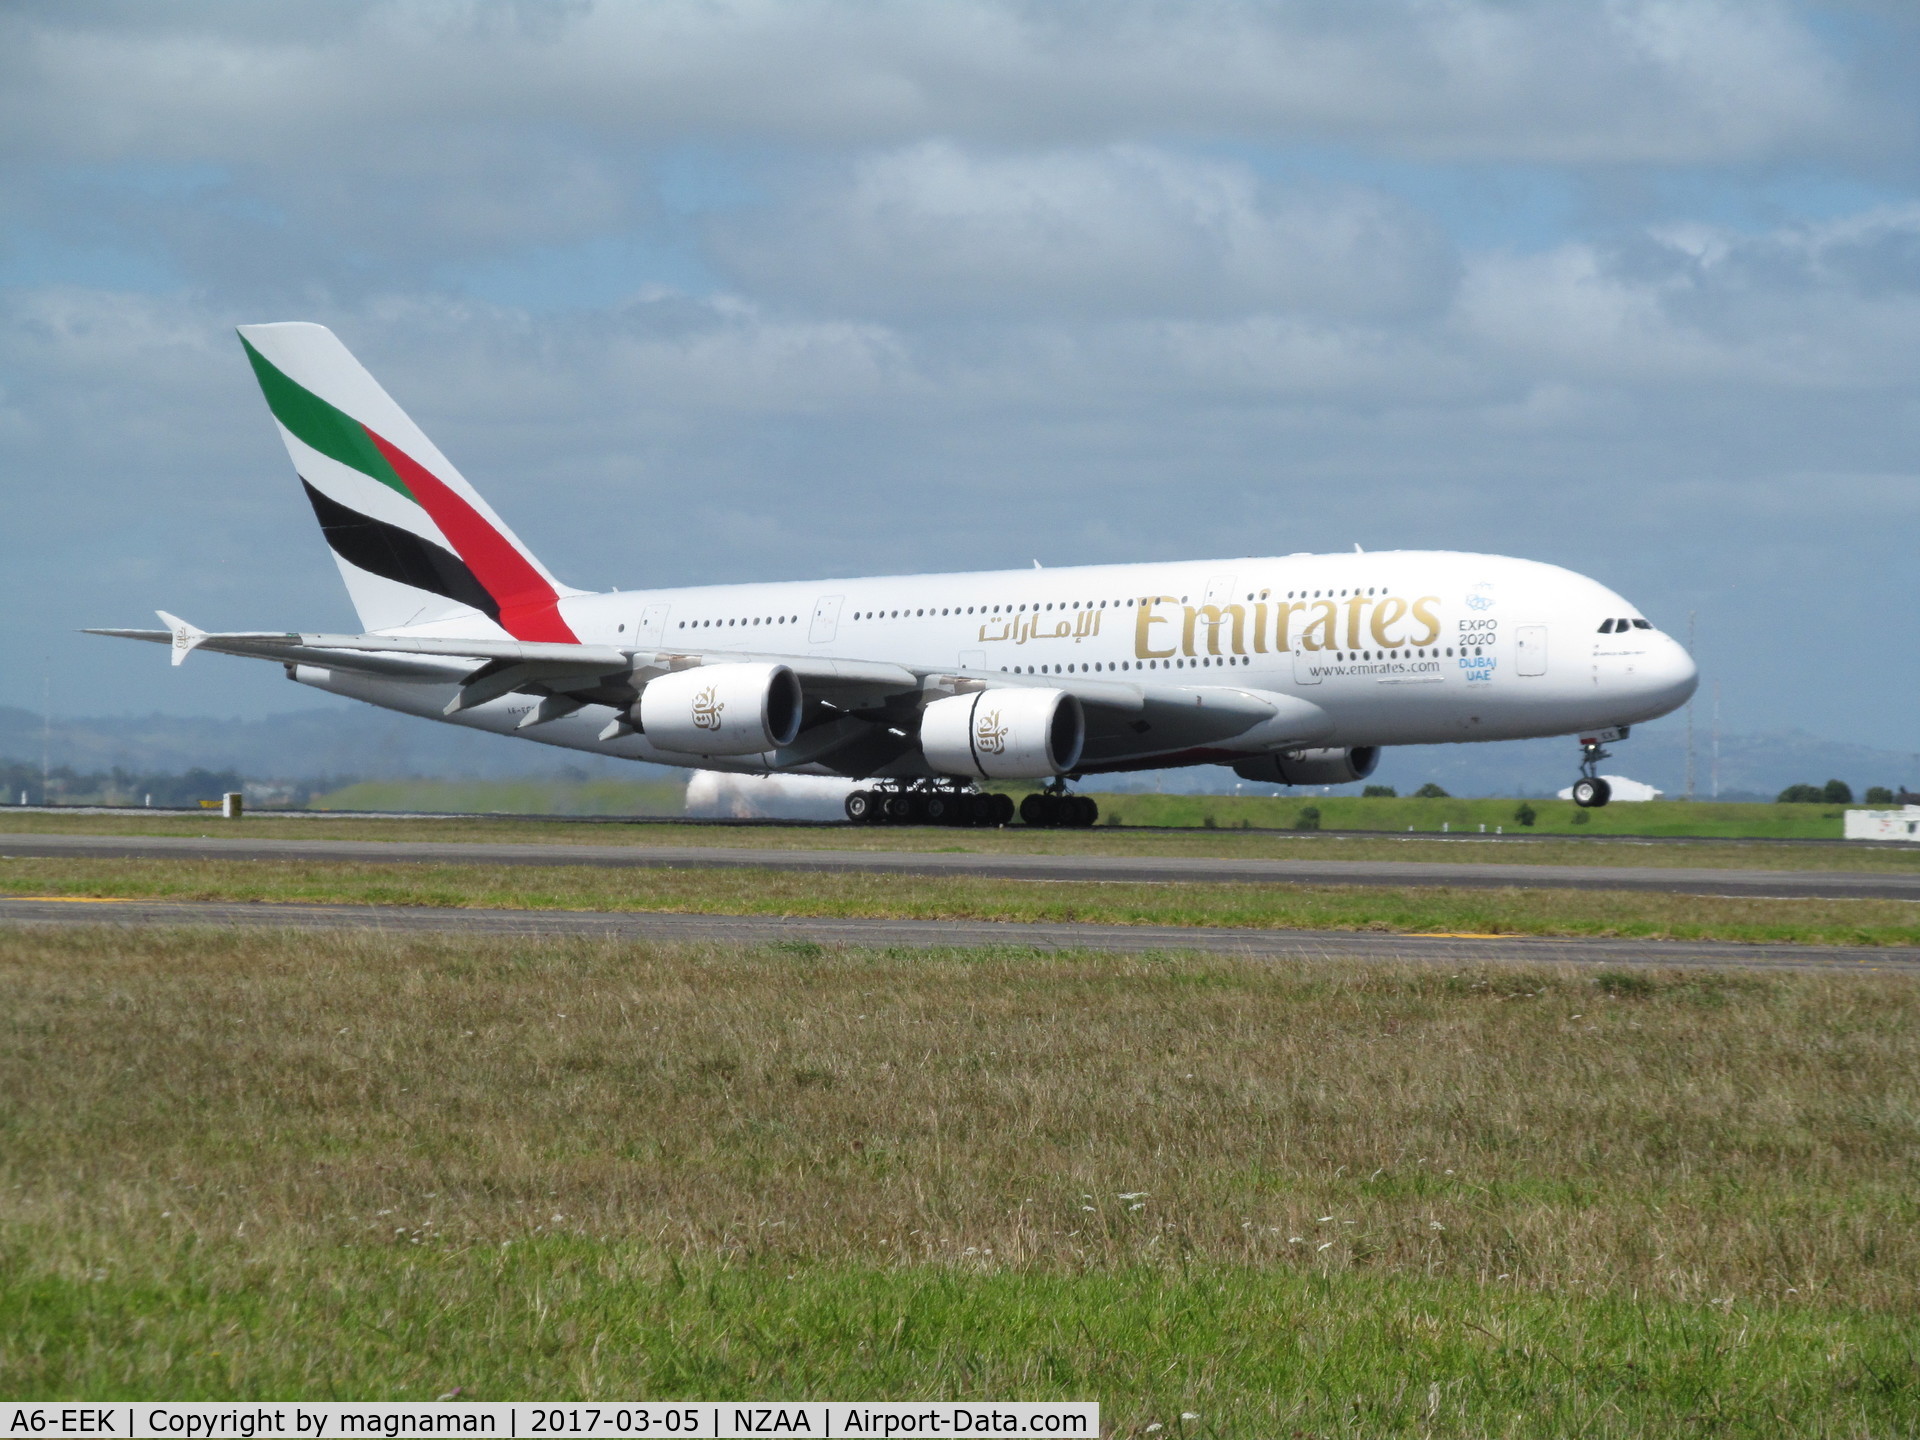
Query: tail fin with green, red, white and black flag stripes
x=414 y=540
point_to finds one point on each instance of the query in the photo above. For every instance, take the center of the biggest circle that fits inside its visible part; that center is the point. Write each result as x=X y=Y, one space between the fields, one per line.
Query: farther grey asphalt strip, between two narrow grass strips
x=1138 y=871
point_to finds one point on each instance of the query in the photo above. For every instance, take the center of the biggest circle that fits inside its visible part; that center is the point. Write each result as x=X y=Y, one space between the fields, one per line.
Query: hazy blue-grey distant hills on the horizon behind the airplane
x=368 y=744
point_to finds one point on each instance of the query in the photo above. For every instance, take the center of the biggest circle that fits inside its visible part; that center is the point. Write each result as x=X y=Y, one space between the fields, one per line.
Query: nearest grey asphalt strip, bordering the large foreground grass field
x=948 y=934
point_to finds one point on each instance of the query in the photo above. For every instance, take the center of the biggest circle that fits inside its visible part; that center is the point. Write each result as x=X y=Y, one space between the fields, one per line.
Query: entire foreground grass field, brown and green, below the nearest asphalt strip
x=1285 y=1199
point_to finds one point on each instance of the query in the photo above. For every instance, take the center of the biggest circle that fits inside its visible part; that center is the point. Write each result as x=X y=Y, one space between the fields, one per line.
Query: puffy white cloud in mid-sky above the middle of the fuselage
x=1122 y=229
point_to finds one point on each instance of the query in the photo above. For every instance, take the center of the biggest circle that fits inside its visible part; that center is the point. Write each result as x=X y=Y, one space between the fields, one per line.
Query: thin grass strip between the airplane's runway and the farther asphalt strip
x=1015 y=840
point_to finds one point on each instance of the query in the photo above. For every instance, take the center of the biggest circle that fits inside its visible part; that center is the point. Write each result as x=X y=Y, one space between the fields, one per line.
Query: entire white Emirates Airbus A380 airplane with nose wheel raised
x=1291 y=669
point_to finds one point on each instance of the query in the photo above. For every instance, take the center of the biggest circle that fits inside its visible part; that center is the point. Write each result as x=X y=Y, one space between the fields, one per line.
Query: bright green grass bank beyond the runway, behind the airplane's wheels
x=1706 y=819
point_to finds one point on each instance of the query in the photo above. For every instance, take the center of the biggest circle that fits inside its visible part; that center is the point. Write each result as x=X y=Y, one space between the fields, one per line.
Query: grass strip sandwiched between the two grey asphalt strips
x=1648 y=915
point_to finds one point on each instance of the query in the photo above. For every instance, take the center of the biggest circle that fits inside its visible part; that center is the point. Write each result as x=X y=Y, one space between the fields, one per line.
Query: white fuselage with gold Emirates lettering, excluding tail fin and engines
x=1399 y=648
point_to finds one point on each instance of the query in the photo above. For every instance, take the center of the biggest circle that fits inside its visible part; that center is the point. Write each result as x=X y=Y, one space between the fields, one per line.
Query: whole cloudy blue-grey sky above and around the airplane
x=706 y=291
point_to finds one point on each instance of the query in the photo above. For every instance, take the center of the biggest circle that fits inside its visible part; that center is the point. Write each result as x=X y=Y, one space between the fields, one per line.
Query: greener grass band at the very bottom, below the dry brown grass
x=1241 y=1351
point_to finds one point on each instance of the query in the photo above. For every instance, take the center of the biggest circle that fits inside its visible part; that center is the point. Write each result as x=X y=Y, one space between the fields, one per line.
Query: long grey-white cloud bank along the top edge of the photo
x=1564 y=82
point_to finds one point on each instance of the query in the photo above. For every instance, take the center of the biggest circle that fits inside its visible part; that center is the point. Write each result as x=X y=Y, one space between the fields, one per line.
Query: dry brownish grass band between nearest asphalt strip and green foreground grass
x=1691 y=1138
